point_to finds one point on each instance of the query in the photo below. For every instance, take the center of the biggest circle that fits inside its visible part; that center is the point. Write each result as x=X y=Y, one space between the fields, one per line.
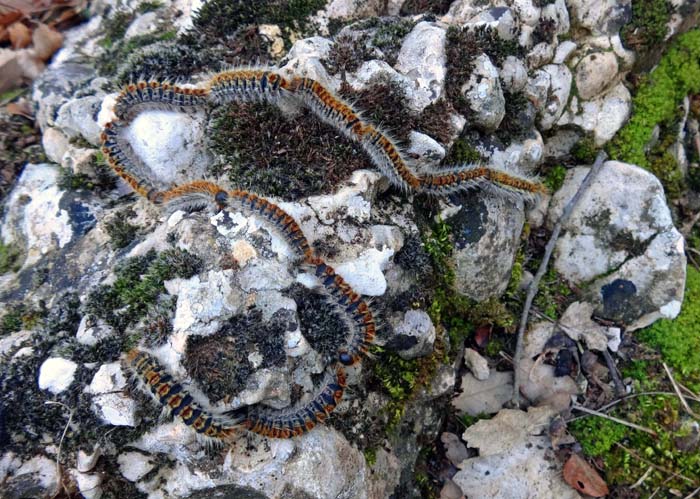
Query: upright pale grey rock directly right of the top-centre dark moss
x=484 y=95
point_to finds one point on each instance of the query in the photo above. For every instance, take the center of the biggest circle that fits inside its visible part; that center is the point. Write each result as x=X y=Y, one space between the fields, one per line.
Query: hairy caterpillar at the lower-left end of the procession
x=172 y=395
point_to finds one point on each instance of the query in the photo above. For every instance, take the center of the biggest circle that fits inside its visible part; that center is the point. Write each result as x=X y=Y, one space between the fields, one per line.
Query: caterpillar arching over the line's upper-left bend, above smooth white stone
x=158 y=94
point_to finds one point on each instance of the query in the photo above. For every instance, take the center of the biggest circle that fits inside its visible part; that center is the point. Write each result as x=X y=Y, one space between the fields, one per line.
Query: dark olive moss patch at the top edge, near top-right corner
x=648 y=26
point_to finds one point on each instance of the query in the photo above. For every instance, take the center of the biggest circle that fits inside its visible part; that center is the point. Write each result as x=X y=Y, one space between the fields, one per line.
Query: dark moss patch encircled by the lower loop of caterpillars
x=220 y=362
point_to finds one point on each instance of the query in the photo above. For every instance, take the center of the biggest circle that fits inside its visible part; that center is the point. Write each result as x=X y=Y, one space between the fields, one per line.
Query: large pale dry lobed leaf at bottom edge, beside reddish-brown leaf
x=520 y=463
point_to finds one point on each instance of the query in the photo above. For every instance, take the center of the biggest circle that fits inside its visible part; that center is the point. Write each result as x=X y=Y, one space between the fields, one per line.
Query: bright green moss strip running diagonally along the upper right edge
x=657 y=98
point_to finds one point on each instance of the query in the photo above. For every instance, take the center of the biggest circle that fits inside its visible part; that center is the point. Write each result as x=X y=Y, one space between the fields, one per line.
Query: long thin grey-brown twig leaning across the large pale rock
x=532 y=289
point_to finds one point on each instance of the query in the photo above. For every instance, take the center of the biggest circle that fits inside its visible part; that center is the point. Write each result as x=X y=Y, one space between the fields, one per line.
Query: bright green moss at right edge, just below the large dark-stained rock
x=679 y=340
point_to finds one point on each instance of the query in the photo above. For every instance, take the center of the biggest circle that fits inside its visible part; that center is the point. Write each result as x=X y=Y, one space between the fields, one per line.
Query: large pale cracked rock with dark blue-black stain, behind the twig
x=621 y=229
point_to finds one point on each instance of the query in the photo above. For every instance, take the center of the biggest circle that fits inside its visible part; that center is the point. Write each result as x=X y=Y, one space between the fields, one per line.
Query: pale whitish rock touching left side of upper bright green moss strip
x=603 y=116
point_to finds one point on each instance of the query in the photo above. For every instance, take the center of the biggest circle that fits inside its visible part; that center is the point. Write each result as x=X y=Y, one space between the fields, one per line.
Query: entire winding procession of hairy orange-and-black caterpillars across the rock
x=260 y=84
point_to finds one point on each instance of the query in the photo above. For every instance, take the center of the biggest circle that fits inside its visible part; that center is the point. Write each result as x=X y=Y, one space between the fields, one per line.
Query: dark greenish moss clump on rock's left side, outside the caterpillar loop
x=138 y=284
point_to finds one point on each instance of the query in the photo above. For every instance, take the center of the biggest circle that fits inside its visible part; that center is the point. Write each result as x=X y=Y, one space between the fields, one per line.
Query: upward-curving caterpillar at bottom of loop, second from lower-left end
x=301 y=420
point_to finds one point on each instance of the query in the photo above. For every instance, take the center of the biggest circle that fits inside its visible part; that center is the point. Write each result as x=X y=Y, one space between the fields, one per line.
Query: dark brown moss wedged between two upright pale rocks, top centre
x=463 y=45
